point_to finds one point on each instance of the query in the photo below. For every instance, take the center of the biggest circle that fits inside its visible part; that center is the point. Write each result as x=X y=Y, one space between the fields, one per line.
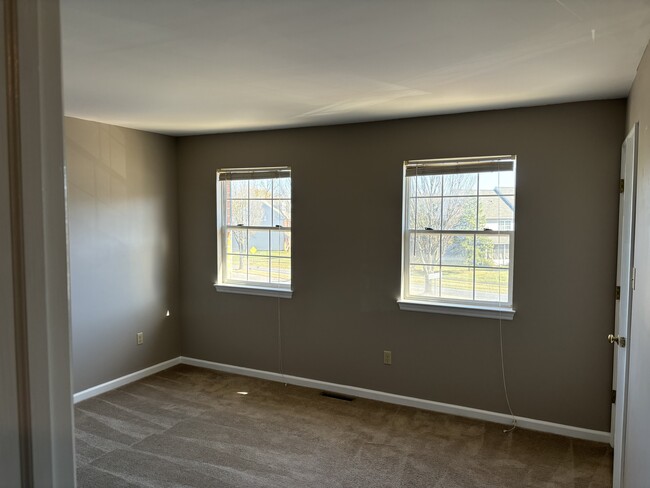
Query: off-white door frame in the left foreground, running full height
x=35 y=331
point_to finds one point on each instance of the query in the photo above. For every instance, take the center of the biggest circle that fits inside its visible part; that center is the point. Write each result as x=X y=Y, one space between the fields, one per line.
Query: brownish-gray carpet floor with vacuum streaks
x=189 y=427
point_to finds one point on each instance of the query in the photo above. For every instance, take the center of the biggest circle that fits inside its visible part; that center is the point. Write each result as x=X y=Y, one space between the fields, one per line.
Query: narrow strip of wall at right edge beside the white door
x=637 y=469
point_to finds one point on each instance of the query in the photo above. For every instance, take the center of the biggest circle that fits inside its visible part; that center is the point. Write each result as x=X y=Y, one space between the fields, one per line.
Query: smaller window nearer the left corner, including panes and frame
x=254 y=231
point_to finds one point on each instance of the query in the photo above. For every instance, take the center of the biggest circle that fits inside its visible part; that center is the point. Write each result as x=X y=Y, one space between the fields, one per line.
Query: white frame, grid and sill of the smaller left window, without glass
x=281 y=290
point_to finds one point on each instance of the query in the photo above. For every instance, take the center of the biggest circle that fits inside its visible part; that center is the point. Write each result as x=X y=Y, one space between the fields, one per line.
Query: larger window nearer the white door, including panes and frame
x=458 y=241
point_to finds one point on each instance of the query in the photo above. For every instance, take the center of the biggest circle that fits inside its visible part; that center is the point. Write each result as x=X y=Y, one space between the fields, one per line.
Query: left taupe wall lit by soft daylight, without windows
x=122 y=208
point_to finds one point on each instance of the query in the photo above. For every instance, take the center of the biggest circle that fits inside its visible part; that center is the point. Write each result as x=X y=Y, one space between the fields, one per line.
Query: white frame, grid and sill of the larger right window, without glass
x=452 y=306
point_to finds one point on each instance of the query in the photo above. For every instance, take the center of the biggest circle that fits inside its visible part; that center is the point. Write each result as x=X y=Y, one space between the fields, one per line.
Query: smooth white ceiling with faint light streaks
x=203 y=66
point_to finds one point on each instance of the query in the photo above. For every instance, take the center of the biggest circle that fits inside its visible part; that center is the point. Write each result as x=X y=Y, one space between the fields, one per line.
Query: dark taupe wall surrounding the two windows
x=347 y=223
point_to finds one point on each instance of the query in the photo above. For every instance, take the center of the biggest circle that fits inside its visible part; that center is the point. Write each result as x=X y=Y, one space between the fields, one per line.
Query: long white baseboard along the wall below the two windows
x=499 y=418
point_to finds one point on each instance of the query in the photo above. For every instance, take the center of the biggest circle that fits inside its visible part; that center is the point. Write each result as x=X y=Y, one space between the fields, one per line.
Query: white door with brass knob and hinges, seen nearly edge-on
x=624 y=306
